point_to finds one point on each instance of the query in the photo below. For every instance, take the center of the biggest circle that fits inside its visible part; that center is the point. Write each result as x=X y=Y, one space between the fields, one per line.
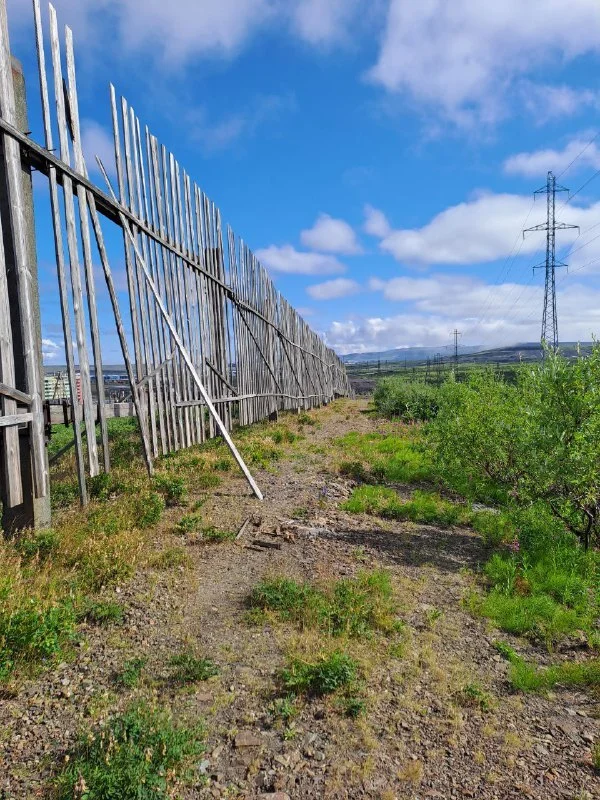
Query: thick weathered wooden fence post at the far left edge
x=34 y=510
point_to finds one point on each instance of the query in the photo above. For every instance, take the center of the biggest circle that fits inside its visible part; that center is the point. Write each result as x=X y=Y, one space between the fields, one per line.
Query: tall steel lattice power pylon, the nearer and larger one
x=549 y=316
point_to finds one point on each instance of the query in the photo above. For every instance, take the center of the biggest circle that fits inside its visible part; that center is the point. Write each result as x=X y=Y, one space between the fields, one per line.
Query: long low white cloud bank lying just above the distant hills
x=514 y=318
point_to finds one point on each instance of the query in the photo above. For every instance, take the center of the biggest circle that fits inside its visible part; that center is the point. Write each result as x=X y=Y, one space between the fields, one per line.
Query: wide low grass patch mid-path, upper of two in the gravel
x=352 y=607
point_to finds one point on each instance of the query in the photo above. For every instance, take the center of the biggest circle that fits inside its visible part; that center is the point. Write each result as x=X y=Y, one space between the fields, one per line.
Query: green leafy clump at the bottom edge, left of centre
x=139 y=755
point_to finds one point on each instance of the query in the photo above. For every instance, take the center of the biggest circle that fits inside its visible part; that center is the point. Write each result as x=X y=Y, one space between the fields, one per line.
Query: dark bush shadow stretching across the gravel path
x=447 y=550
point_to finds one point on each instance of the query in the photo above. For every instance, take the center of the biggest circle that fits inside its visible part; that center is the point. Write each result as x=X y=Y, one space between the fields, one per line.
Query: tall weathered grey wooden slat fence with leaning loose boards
x=212 y=340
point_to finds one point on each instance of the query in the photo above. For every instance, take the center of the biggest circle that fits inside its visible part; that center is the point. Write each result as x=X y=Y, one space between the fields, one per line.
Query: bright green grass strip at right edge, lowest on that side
x=527 y=677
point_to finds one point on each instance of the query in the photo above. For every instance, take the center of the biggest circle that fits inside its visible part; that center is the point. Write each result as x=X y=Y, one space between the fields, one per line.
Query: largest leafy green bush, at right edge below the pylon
x=535 y=441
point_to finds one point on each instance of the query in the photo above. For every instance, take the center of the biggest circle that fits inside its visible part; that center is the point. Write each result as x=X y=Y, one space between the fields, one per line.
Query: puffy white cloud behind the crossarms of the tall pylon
x=480 y=230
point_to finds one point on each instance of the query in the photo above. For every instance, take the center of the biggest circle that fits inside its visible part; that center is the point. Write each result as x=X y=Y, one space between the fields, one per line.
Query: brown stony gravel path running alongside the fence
x=417 y=739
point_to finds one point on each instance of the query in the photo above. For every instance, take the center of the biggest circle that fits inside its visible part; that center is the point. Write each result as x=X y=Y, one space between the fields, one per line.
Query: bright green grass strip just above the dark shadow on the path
x=425 y=507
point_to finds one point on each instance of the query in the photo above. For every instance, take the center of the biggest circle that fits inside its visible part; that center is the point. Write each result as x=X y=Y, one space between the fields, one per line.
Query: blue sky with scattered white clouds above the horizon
x=379 y=156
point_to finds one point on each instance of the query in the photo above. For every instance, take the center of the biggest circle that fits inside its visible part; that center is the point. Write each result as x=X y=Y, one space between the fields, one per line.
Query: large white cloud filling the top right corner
x=462 y=57
